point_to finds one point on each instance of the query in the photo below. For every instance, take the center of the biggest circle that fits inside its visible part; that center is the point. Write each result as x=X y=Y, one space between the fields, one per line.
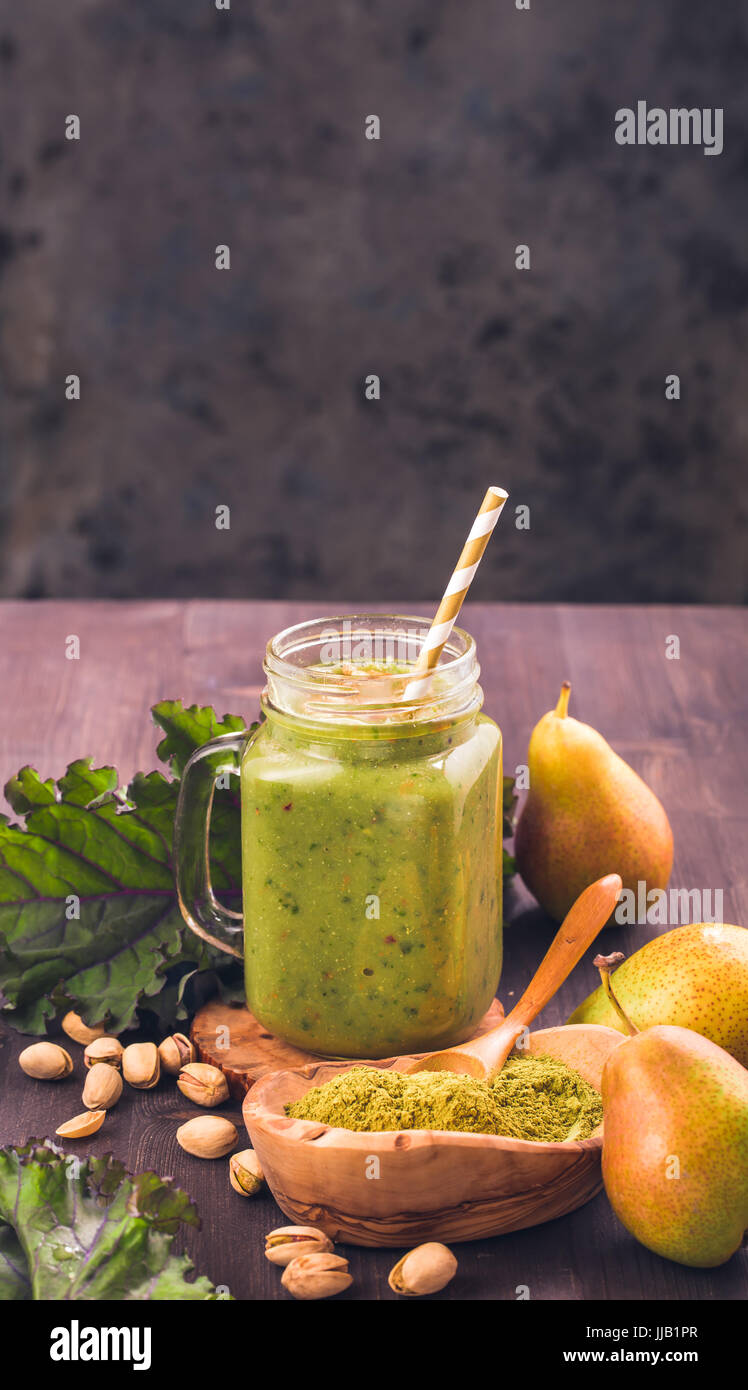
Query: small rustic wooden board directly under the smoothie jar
x=254 y=1053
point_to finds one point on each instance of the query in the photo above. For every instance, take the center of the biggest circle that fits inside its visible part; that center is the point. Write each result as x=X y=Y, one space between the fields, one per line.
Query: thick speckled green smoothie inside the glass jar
x=372 y=881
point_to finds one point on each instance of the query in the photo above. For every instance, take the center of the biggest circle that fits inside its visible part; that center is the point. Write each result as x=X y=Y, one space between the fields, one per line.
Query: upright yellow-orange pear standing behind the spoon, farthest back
x=587 y=814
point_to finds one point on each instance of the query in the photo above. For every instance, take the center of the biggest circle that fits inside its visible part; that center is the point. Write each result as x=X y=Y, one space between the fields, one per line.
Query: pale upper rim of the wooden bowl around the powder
x=305 y=1132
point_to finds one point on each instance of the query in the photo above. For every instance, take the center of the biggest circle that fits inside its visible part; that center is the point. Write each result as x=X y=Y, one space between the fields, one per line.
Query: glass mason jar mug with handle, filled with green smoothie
x=372 y=843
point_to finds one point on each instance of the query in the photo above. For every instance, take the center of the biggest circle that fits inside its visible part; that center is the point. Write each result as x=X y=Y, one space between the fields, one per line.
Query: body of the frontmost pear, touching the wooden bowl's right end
x=675 y=1149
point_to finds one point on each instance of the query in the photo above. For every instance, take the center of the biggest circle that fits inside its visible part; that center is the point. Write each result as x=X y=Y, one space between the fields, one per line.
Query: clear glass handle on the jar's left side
x=200 y=906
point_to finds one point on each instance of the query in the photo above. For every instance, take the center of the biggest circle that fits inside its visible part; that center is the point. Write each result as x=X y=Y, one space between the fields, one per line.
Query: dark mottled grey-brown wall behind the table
x=352 y=258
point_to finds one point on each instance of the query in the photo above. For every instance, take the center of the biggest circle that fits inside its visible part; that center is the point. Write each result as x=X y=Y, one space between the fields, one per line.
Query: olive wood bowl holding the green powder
x=430 y=1185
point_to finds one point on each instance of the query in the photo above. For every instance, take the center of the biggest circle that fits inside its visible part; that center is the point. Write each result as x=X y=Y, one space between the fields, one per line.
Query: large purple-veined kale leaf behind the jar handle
x=88 y=911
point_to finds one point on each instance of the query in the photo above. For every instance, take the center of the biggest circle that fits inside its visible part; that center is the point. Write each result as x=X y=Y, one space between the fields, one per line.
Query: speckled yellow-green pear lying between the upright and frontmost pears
x=696 y=978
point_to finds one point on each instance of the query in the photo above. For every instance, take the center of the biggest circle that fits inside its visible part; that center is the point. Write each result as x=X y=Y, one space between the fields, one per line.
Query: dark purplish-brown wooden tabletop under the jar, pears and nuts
x=682 y=725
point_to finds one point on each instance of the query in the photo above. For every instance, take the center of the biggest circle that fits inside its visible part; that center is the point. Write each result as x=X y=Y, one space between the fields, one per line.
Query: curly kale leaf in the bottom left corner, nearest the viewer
x=83 y=1229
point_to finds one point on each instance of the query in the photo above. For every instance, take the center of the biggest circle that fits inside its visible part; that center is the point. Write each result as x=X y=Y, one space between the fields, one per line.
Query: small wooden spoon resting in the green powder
x=486 y=1056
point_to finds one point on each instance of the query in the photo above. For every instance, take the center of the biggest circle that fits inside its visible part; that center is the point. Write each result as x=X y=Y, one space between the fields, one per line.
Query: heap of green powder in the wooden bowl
x=535 y=1097
